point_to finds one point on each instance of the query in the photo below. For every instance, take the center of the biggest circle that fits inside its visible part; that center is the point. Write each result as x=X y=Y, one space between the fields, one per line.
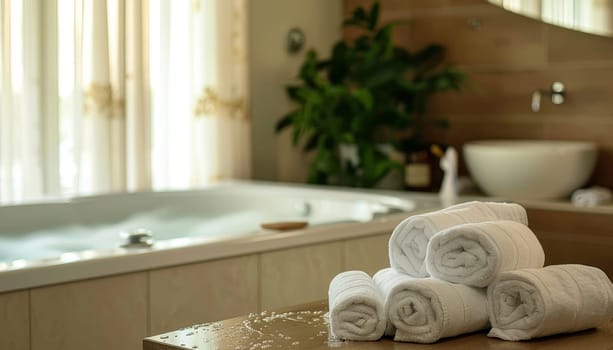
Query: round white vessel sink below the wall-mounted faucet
x=530 y=169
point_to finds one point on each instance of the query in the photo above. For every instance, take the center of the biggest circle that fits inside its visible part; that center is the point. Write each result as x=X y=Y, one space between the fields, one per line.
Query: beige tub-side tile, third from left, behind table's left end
x=186 y=295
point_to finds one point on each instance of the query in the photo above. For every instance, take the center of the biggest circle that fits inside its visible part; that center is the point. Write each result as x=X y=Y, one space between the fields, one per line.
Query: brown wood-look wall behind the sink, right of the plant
x=508 y=57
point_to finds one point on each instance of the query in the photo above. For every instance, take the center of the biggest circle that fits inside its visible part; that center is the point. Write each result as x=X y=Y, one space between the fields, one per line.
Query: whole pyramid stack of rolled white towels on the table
x=465 y=247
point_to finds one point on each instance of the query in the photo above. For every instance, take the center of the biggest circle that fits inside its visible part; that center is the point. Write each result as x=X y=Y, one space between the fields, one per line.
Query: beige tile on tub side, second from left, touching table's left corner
x=98 y=314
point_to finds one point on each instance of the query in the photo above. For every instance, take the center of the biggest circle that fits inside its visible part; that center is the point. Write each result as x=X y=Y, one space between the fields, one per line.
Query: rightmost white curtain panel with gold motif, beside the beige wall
x=200 y=120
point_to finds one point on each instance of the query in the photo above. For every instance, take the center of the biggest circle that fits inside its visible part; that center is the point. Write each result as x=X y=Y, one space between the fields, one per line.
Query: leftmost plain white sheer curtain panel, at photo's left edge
x=21 y=164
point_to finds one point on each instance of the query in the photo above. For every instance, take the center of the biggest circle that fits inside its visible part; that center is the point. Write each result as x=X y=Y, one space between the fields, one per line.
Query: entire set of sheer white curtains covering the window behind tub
x=114 y=95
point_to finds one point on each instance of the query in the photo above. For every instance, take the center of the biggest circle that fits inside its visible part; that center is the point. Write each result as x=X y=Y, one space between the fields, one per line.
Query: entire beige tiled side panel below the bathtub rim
x=117 y=312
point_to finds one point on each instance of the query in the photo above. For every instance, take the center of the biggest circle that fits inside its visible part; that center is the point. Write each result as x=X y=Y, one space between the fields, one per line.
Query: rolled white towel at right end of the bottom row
x=530 y=303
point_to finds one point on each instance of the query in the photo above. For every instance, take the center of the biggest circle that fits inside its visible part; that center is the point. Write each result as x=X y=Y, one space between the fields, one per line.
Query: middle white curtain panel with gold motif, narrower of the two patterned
x=113 y=133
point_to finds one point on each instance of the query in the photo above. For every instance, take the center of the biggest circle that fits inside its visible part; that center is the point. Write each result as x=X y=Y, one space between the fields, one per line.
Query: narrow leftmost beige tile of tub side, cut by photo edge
x=15 y=320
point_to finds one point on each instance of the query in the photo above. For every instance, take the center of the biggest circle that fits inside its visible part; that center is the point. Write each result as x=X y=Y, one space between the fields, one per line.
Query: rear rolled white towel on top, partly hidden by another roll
x=407 y=245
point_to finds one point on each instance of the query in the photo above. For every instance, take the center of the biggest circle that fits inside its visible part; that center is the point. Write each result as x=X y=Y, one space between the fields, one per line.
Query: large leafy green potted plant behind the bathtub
x=368 y=94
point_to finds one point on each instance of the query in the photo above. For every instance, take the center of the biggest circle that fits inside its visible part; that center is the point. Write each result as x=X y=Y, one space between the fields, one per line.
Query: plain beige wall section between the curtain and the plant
x=272 y=67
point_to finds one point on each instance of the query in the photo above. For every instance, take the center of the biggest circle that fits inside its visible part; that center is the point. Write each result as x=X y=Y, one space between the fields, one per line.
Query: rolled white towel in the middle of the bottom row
x=424 y=310
